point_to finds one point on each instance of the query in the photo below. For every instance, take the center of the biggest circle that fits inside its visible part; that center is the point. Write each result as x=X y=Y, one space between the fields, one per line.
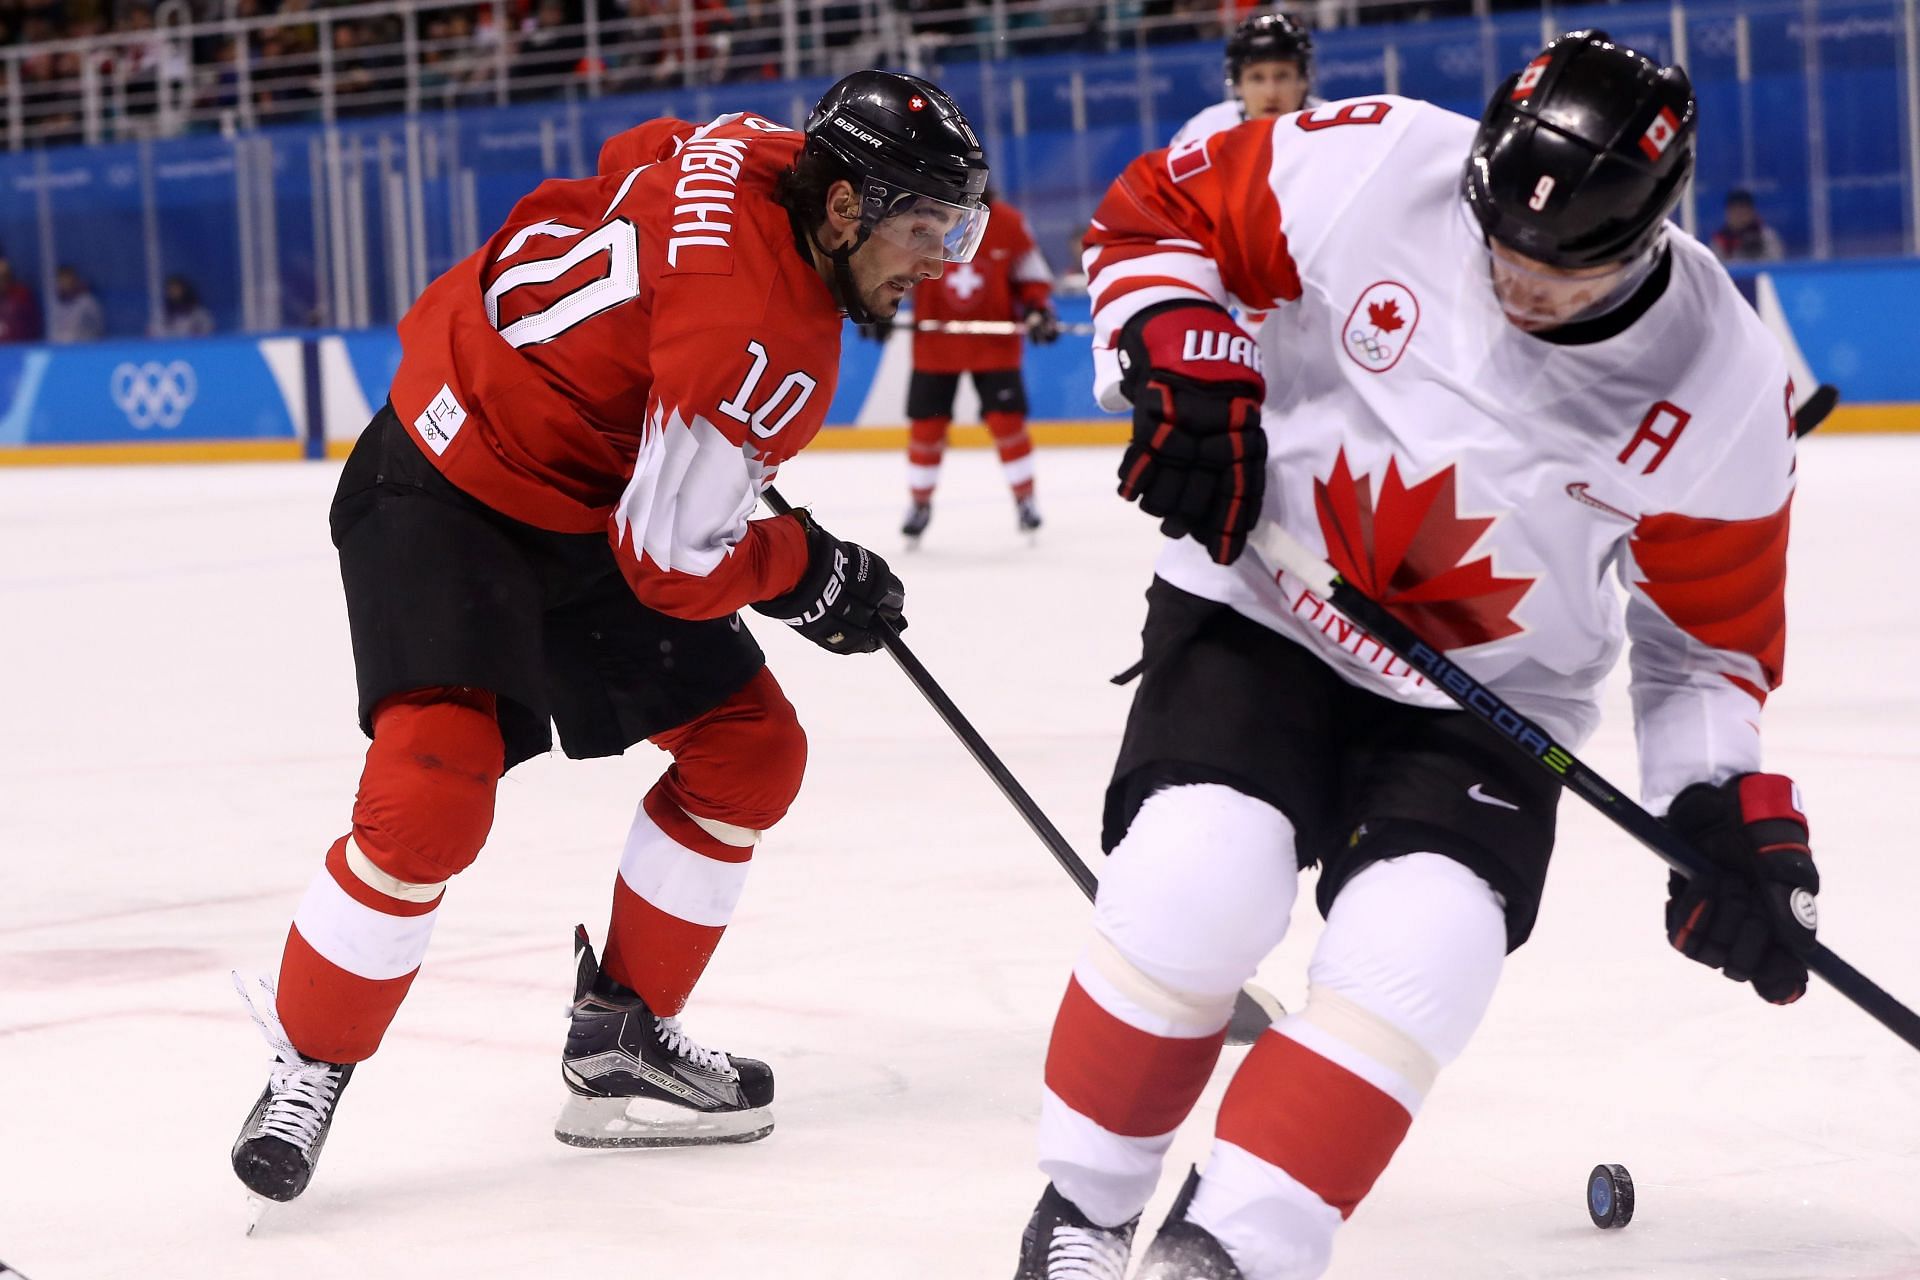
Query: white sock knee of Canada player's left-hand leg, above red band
x=1201 y=889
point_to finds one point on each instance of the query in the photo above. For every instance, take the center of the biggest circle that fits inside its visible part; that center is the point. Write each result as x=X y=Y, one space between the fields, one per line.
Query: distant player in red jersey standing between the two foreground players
x=1007 y=283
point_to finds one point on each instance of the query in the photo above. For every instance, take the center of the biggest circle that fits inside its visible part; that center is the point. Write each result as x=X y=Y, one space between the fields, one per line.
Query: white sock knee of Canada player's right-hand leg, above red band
x=1404 y=974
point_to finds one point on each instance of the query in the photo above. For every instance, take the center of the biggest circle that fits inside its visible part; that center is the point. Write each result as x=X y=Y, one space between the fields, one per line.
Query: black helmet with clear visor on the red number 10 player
x=903 y=143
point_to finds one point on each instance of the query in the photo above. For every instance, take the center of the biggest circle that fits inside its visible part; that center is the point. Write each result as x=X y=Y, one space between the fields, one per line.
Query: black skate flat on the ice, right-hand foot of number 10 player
x=640 y=1081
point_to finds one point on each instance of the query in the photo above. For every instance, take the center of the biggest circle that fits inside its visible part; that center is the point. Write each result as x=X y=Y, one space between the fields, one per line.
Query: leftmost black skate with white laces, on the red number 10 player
x=283 y=1137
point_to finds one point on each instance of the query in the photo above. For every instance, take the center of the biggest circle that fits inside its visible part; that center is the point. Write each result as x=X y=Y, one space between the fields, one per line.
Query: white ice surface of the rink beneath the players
x=180 y=749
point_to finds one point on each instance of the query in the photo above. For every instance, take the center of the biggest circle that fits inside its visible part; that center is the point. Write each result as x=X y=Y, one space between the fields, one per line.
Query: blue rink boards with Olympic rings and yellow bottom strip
x=308 y=394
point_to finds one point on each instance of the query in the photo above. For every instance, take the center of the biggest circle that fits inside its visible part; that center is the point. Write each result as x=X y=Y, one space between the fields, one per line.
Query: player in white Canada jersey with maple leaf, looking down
x=1483 y=394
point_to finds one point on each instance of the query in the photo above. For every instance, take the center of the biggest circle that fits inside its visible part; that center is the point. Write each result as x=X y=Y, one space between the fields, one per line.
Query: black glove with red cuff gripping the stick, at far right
x=1756 y=916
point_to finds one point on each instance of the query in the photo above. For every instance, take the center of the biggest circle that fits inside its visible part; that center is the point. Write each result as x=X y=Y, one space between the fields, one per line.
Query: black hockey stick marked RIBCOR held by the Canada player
x=1280 y=550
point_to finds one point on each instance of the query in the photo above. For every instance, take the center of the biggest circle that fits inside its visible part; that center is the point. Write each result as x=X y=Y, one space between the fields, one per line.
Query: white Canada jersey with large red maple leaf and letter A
x=1481 y=483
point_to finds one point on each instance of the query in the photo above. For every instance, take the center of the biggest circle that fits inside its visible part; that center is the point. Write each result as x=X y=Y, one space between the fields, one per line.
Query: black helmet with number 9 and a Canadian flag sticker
x=1583 y=154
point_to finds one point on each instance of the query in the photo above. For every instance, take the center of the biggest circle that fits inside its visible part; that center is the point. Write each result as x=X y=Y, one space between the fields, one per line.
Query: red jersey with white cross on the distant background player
x=1005 y=281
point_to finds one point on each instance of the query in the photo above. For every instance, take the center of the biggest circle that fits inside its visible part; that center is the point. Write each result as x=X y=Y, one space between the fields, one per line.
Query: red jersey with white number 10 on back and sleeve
x=638 y=352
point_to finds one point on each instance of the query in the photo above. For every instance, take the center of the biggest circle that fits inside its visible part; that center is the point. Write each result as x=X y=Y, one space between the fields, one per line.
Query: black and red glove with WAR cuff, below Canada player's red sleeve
x=1199 y=456
